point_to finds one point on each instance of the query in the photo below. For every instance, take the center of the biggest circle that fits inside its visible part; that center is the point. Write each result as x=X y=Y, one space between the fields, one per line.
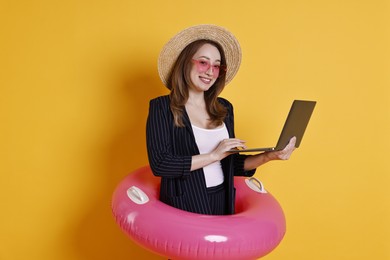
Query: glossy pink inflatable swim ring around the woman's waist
x=255 y=230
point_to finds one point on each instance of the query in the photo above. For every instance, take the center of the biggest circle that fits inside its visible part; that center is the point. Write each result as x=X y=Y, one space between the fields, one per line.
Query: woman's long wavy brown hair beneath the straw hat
x=179 y=81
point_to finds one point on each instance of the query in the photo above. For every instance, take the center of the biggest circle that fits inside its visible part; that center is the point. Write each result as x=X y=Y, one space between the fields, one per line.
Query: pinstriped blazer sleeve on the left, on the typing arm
x=159 y=130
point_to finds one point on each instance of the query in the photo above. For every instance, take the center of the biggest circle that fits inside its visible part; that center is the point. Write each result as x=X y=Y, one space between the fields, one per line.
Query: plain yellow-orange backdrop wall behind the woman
x=75 y=81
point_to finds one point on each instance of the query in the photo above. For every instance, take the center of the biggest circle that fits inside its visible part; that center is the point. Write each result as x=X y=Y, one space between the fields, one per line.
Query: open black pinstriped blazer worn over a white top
x=170 y=151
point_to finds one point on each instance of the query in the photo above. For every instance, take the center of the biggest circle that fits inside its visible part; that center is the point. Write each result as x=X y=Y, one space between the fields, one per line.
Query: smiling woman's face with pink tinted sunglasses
x=206 y=67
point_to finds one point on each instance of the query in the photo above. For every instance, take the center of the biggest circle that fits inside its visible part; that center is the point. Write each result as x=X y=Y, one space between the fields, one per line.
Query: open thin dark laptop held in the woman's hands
x=295 y=125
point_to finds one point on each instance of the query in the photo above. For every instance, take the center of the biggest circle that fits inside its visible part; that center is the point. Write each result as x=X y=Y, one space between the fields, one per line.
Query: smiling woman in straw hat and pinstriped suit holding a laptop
x=190 y=132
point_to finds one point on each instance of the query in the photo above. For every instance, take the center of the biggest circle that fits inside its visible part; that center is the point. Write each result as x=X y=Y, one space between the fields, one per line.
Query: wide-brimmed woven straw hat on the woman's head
x=175 y=46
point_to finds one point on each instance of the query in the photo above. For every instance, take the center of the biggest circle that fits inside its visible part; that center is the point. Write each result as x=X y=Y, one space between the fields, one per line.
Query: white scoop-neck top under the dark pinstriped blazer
x=207 y=140
